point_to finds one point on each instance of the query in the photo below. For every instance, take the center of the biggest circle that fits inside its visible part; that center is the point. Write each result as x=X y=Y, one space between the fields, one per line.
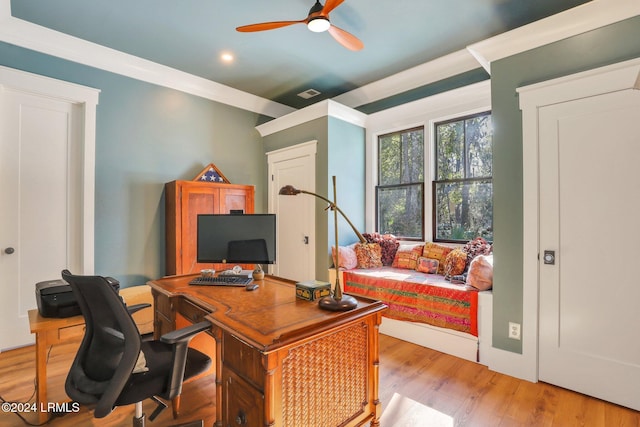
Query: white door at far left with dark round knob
x=38 y=140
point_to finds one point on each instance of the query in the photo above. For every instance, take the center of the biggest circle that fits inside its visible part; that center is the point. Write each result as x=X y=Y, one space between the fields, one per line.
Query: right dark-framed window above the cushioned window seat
x=462 y=190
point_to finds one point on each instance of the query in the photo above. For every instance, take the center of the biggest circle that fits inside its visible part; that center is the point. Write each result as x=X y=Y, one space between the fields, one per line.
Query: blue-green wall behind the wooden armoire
x=147 y=135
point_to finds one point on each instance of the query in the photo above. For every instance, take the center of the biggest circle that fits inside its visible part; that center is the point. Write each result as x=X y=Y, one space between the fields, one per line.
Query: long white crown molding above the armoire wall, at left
x=35 y=37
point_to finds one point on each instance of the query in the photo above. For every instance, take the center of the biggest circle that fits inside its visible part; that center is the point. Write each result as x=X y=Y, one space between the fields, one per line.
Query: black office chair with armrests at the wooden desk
x=114 y=366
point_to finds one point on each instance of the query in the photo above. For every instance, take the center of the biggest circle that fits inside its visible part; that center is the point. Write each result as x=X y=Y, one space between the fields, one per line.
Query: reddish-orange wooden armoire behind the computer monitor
x=184 y=200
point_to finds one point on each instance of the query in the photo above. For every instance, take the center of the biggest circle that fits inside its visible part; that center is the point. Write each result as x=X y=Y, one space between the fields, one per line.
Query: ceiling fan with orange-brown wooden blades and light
x=317 y=21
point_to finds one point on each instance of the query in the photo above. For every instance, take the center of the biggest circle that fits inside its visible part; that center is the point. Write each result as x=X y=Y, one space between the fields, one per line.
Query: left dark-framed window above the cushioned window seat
x=400 y=190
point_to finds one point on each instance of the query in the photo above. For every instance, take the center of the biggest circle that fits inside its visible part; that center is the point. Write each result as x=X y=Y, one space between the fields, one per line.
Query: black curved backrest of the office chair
x=109 y=349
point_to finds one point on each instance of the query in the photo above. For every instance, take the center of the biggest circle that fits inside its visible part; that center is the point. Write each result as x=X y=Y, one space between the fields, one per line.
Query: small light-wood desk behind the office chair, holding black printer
x=50 y=331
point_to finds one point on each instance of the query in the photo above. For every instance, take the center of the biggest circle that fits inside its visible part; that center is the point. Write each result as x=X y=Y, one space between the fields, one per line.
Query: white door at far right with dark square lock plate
x=589 y=204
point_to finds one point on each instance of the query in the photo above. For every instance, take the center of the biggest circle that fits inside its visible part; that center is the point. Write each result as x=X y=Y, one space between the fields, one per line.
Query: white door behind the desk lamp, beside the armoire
x=295 y=215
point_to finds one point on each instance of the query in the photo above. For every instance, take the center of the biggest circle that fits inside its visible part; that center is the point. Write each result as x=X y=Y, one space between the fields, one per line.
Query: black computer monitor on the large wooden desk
x=236 y=238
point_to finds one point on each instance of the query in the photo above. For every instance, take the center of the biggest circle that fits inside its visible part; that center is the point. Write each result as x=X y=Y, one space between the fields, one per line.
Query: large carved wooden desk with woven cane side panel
x=281 y=361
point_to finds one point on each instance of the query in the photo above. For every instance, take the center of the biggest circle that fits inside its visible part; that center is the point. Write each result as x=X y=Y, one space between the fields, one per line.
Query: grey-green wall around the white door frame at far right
x=611 y=44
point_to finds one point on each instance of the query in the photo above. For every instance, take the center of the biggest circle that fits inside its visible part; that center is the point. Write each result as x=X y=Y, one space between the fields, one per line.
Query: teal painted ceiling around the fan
x=190 y=35
